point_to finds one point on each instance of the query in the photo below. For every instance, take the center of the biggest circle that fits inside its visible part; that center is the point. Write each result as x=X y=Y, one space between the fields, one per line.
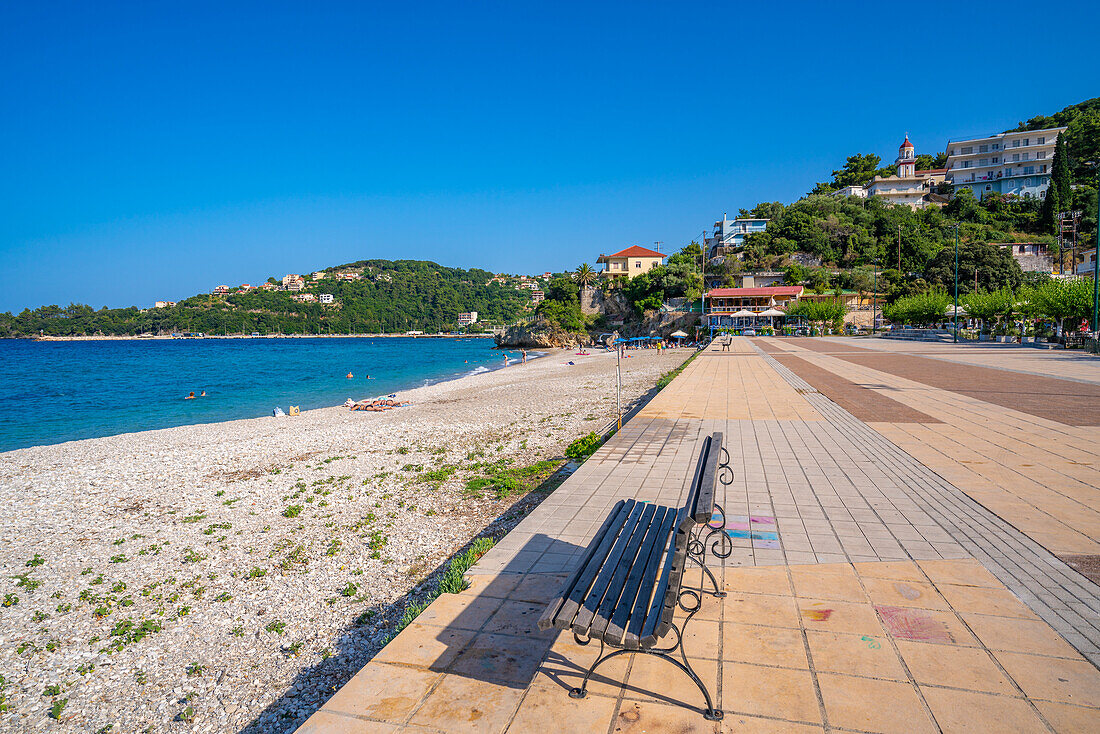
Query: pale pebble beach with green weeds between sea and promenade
x=195 y=530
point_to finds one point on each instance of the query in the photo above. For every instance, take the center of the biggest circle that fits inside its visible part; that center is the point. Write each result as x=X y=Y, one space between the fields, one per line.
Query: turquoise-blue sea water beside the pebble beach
x=62 y=391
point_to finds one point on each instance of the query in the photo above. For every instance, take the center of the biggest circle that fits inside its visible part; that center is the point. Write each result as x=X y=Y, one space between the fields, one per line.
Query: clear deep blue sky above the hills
x=156 y=150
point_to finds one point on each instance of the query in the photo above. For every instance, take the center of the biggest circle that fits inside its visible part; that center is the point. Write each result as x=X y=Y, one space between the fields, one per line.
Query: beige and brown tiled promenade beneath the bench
x=899 y=573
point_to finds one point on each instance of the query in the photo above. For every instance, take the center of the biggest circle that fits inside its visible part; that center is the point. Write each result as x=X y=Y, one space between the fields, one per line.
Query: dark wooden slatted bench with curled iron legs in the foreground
x=630 y=583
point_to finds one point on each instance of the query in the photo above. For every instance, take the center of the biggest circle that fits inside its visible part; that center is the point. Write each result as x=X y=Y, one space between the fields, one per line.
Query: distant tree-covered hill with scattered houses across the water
x=389 y=297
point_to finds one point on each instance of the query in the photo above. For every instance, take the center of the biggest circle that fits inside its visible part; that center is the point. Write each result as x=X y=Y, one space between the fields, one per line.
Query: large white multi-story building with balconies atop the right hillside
x=1016 y=163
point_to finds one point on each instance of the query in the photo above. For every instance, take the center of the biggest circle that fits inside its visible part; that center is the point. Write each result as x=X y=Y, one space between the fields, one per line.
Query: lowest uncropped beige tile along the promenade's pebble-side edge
x=383 y=692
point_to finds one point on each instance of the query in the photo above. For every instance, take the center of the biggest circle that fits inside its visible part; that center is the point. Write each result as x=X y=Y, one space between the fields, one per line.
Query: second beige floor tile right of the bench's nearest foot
x=874 y=706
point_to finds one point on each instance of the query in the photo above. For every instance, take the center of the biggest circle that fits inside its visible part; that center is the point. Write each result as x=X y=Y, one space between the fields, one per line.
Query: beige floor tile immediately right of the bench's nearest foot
x=776 y=693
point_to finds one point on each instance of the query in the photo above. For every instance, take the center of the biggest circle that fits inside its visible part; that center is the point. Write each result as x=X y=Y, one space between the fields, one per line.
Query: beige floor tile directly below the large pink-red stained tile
x=956 y=667
